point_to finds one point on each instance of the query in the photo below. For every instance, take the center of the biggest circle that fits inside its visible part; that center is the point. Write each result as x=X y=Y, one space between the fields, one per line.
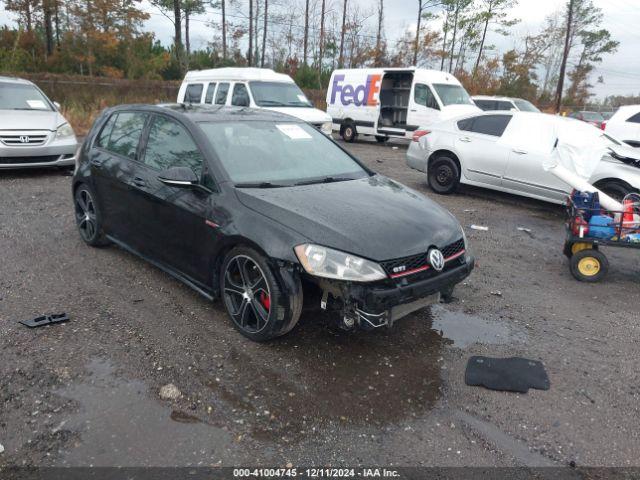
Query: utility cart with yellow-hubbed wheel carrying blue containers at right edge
x=589 y=227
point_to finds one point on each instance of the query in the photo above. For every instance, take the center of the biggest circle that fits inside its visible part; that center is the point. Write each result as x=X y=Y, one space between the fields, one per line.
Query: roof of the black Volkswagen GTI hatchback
x=213 y=113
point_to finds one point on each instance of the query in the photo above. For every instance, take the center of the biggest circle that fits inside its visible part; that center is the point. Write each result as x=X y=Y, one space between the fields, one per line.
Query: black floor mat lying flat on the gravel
x=510 y=374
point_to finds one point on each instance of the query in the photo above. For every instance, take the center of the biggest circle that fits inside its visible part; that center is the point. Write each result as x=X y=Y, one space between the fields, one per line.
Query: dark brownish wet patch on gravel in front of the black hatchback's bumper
x=316 y=377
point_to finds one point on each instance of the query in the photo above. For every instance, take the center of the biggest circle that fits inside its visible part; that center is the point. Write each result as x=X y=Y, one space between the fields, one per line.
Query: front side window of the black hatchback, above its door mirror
x=170 y=145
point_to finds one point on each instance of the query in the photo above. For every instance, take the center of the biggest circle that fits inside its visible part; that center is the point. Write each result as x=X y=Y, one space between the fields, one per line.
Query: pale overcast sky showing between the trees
x=620 y=71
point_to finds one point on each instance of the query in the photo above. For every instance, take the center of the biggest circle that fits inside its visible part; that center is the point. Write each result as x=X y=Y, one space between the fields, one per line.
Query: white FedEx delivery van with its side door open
x=393 y=102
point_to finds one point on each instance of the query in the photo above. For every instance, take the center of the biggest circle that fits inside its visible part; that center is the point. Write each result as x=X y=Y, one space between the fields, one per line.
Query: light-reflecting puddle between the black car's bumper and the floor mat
x=464 y=329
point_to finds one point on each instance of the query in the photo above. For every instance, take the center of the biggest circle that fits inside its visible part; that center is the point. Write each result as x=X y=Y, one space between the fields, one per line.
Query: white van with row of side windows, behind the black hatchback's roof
x=251 y=87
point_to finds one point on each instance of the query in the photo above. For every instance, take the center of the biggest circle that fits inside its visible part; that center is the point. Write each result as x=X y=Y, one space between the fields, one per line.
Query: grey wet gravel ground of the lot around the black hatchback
x=87 y=392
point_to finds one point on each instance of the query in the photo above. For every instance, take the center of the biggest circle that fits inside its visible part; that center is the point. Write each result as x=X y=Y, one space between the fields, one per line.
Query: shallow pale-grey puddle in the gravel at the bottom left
x=121 y=424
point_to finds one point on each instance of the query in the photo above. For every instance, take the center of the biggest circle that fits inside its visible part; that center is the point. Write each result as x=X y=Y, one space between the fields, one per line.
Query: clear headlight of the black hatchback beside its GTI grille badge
x=328 y=263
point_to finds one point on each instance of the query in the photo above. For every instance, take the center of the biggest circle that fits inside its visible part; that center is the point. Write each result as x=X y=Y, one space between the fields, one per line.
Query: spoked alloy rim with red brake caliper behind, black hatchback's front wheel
x=246 y=294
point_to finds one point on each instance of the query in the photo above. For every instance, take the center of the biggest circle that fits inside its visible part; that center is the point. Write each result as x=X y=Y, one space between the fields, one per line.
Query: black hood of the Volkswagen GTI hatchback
x=374 y=217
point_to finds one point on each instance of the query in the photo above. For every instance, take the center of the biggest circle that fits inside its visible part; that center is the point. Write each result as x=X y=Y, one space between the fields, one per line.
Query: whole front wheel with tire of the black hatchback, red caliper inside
x=259 y=309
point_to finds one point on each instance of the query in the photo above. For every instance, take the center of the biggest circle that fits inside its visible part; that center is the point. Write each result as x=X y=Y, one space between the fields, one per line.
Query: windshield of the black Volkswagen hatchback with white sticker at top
x=270 y=154
